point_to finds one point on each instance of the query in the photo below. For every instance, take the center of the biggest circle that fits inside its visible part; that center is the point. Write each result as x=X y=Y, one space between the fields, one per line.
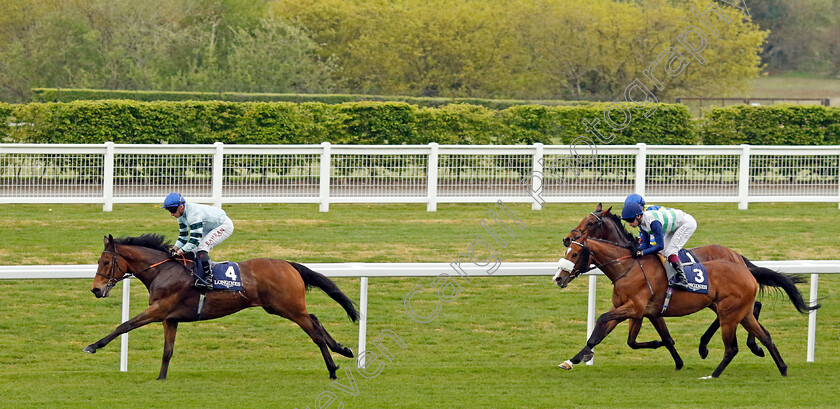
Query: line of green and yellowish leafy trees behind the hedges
x=519 y=49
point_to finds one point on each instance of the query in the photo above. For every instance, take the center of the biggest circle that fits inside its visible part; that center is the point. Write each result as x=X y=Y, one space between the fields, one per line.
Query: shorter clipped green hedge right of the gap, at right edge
x=782 y=124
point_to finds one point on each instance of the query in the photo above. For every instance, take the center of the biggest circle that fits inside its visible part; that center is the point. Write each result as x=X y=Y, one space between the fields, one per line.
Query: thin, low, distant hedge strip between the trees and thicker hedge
x=68 y=95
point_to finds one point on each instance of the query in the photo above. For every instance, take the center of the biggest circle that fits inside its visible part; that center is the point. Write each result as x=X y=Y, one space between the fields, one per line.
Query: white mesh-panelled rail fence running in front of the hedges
x=219 y=174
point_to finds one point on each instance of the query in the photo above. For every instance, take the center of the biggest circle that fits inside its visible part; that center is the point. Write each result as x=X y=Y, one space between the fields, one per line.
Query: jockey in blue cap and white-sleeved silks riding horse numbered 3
x=671 y=227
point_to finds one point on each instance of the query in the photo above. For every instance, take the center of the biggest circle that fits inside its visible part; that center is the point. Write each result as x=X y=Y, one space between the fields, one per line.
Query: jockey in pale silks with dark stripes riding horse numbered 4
x=201 y=228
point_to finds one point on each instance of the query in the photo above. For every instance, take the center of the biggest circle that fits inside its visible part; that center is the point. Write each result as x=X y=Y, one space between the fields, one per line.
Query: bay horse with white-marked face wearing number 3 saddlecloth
x=639 y=288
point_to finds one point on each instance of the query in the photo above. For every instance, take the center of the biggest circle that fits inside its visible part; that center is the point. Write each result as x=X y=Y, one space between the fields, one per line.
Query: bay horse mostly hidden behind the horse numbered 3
x=604 y=225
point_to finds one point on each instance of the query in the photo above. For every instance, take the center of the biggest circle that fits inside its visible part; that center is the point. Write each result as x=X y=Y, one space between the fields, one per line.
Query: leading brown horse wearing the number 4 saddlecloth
x=278 y=286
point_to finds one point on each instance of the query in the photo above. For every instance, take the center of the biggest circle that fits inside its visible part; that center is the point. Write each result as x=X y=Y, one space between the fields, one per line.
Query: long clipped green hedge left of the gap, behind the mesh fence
x=125 y=121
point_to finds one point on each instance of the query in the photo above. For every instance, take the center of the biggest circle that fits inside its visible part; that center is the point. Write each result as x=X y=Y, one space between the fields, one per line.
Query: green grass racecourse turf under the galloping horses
x=497 y=345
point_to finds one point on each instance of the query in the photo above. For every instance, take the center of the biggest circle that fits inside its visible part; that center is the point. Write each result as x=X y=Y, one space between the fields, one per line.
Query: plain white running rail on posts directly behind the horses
x=366 y=270
